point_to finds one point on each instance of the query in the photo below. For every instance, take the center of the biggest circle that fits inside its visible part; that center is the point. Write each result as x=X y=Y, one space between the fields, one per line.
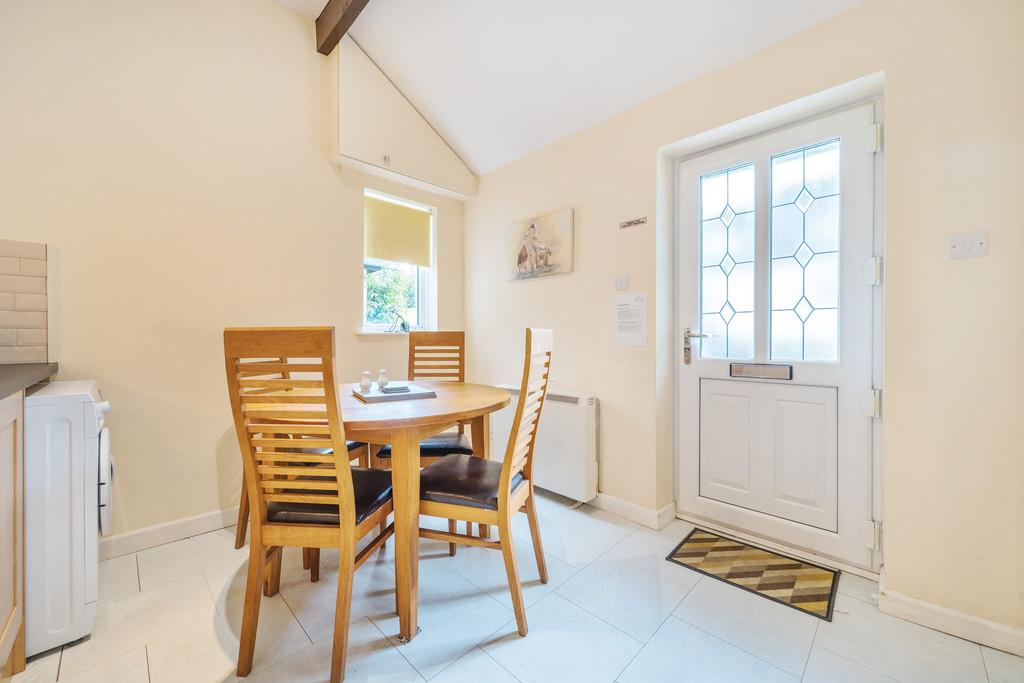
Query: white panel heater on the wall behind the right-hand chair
x=567 y=452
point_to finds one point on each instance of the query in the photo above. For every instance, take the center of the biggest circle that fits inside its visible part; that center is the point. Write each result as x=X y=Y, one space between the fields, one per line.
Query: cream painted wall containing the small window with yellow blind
x=177 y=157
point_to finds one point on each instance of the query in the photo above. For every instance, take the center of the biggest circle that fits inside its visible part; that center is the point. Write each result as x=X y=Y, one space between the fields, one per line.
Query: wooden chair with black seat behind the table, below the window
x=440 y=357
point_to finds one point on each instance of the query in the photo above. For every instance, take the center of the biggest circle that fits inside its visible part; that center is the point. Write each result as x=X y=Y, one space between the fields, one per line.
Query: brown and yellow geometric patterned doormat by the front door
x=792 y=582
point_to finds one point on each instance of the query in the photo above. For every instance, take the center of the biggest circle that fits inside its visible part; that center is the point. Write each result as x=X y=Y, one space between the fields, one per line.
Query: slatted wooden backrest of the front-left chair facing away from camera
x=284 y=401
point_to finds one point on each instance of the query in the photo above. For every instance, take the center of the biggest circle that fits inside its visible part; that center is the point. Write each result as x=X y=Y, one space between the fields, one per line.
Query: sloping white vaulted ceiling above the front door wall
x=499 y=79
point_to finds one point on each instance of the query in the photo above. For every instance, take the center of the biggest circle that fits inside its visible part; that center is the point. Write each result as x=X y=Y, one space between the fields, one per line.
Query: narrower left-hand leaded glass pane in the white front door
x=728 y=264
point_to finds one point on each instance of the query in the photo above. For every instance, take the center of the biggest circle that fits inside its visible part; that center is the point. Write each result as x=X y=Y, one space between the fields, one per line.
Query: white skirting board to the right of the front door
x=968 y=627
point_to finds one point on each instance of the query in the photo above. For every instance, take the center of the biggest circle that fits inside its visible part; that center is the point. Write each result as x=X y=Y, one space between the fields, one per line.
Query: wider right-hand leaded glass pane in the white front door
x=804 y=274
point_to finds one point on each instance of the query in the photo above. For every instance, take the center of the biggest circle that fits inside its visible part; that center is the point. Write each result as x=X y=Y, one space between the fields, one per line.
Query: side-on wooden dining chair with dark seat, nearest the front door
x=485 y=492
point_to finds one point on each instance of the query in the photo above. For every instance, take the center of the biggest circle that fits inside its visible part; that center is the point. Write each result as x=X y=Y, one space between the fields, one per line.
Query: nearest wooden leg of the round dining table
x=406 y=483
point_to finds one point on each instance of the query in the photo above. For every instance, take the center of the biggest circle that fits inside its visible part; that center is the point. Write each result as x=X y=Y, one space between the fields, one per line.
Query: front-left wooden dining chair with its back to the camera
x=310 y=498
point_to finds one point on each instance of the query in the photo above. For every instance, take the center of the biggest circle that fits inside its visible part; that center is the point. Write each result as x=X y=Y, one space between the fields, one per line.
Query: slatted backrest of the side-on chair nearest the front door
x=533 y=392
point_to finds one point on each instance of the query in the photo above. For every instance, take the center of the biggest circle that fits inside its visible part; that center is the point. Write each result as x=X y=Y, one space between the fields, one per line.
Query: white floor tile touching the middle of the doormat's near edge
x=776 y=633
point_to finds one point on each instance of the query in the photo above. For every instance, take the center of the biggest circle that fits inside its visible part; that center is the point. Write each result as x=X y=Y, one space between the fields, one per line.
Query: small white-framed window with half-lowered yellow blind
x=399 y=278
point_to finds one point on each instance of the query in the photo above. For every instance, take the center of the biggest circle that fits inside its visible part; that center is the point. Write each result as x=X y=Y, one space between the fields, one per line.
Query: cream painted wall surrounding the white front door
x=955 y=140
